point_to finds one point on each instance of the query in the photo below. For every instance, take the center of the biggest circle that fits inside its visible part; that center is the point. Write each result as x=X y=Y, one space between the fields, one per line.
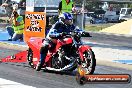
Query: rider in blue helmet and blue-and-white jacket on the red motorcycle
x=64 y=25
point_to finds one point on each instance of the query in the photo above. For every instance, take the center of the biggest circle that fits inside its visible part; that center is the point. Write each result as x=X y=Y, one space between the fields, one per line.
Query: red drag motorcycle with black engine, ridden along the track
x=68 y=53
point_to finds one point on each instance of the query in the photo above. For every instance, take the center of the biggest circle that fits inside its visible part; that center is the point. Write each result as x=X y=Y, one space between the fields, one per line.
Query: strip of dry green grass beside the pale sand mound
x=97 y=27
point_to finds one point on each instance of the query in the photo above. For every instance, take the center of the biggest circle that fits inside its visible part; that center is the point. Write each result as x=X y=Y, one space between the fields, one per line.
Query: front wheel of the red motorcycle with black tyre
x=89 y=62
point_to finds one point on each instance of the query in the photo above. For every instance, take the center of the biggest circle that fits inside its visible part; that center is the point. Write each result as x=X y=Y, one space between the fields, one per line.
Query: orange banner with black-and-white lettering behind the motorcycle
x=35 y=24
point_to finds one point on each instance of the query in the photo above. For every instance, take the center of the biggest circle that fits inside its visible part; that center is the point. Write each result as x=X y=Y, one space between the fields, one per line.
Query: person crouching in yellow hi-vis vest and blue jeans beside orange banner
x=16 y=30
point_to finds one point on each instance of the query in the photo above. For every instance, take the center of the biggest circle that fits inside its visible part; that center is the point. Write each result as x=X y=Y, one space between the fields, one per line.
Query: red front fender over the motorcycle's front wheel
x=82 y=49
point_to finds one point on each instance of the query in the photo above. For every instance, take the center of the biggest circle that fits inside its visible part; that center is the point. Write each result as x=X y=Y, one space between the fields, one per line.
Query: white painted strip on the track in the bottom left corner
x=11 y=84
